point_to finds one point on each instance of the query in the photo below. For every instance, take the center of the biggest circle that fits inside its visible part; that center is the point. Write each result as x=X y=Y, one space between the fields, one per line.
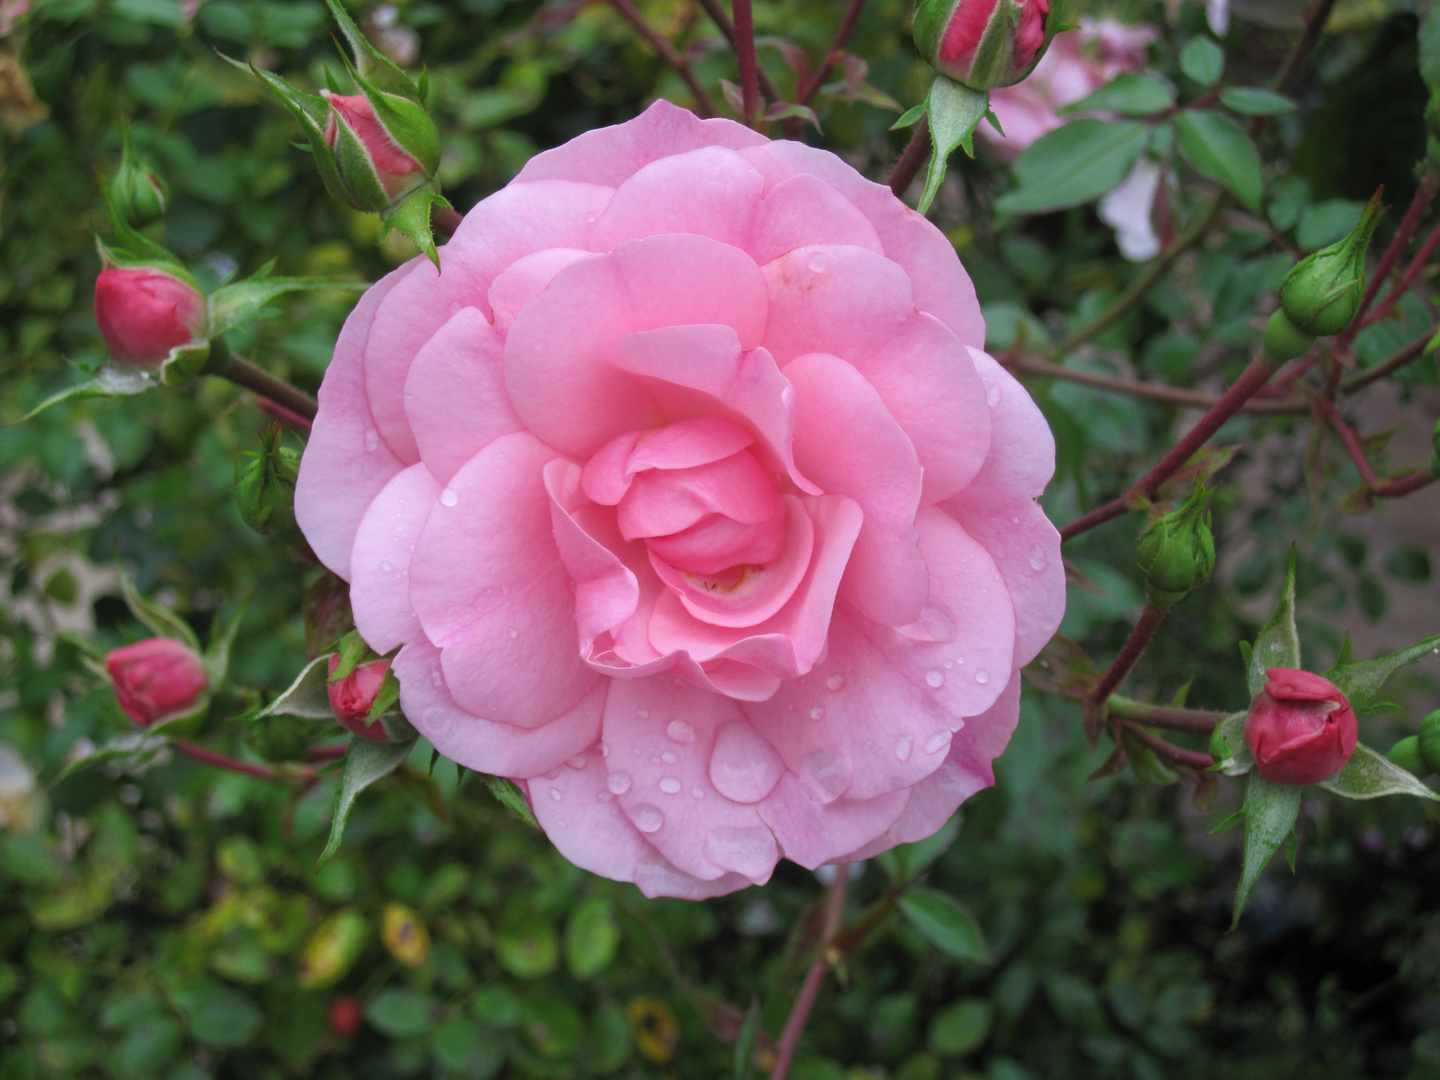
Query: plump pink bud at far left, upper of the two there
x=145 y=313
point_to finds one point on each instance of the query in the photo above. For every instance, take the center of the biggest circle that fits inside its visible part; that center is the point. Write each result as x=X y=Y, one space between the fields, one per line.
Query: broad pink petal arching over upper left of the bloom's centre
x=559 y=369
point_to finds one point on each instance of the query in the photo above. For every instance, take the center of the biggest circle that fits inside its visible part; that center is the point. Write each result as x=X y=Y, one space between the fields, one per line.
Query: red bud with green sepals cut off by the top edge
x=981 y=44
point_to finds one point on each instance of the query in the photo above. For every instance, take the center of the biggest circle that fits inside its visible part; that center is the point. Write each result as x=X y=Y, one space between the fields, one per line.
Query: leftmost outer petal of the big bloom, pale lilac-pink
x=346 y=464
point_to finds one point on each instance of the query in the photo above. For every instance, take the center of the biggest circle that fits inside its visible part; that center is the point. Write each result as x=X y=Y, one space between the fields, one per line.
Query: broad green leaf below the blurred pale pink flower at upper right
x=1075 y=165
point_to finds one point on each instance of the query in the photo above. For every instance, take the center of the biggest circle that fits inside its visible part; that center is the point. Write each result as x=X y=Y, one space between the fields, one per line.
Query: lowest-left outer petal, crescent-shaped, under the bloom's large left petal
x=486 y=745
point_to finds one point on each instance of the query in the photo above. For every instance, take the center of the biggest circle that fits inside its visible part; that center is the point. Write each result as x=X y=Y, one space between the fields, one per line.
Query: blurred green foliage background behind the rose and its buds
x=152 y=924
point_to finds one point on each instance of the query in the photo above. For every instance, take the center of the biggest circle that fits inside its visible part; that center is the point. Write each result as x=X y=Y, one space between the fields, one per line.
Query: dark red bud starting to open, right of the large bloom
x=1301 y=728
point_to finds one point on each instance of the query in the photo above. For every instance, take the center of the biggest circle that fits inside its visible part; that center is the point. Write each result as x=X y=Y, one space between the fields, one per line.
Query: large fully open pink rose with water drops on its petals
x=693 y=506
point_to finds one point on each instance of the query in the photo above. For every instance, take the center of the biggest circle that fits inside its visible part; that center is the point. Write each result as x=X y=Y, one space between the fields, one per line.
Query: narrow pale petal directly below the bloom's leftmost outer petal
x=381 y=561
